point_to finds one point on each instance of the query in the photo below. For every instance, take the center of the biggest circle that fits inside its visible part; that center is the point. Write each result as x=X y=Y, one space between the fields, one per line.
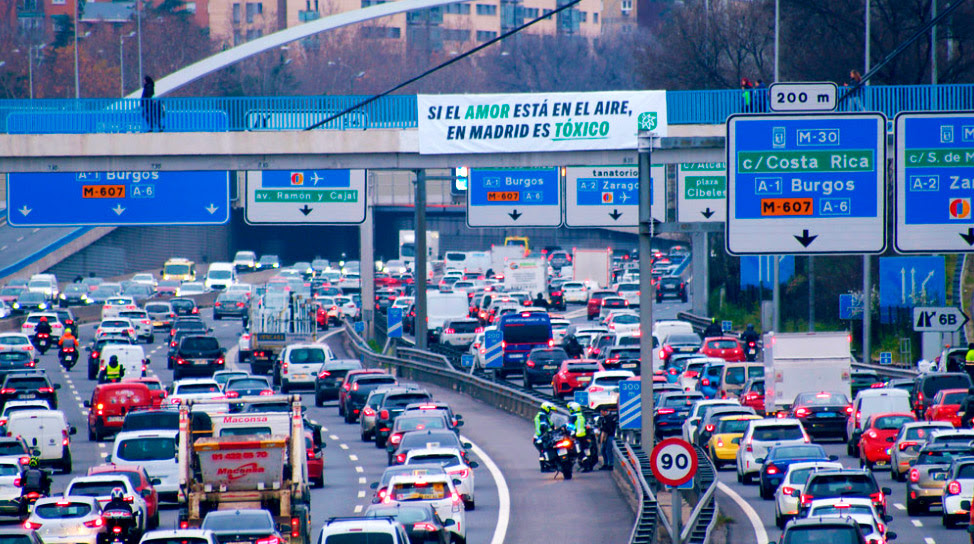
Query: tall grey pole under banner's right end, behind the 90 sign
x=646 y=292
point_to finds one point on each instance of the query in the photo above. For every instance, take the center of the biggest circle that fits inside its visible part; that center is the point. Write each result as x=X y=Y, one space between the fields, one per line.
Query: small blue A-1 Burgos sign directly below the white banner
x=525 y=197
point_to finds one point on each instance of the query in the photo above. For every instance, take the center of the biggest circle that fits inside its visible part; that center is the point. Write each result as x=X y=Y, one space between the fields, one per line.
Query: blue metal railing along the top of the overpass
x=221 y=114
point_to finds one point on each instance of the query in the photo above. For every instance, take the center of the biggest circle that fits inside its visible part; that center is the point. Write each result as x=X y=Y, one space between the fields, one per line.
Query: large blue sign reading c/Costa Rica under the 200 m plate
x=813 y=183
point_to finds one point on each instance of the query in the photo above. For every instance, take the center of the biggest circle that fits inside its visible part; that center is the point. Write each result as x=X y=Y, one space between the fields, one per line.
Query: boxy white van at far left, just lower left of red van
x=46 y=430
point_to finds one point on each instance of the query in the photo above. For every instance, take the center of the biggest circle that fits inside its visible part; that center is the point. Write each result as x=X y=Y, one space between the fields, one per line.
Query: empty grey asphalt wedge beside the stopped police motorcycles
x=543 y=507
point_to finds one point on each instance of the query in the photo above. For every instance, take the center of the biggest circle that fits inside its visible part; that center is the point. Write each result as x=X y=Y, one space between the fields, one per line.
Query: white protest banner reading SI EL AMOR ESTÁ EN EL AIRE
x=515 y=123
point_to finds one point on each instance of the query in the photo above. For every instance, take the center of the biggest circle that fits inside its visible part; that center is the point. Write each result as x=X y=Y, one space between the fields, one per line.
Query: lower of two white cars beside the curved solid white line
x=438 y=491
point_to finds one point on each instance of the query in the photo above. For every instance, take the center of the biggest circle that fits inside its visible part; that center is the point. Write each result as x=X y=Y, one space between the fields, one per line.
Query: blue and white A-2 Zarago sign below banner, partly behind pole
x=608 y=196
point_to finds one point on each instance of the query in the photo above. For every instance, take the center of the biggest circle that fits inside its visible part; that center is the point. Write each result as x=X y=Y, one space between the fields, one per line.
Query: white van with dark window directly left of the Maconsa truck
x=156 y=452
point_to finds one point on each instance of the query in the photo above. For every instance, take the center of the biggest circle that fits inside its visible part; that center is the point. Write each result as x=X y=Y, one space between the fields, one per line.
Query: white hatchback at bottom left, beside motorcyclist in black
x=67 y=520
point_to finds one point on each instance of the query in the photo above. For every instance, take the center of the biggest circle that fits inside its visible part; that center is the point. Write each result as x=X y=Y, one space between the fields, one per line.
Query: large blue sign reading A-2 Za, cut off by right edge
x=934 y=182
